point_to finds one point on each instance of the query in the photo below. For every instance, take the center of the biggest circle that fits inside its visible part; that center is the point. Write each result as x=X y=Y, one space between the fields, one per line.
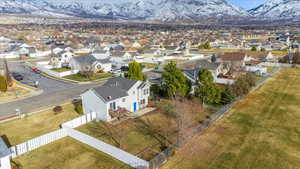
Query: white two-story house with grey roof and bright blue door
x=116 y=95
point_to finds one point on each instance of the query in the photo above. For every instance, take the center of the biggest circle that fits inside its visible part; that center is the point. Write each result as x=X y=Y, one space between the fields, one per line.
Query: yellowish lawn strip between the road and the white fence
x=21 y=130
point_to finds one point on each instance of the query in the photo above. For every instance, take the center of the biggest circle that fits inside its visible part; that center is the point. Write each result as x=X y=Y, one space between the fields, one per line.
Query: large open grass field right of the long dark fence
x=261 y=132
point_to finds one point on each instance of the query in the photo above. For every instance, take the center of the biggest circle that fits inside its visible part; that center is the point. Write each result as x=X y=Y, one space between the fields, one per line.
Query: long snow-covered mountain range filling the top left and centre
x=163 y=10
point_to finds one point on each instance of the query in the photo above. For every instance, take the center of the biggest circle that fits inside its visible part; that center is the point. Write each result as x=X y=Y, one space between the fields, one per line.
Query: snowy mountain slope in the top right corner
x=278 y=9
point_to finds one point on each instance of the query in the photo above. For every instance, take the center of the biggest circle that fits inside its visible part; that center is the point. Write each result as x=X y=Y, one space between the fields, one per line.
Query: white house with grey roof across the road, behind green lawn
x=90 y=63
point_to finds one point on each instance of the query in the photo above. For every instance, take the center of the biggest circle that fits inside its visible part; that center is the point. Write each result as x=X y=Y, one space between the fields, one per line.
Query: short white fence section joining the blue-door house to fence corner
x=80 y=120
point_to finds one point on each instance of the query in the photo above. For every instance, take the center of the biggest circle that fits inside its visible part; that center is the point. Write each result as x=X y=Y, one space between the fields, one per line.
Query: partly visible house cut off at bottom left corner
x=4 y=155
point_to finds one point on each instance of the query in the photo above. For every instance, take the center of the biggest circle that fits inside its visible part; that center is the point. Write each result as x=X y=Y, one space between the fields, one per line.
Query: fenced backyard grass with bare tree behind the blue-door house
x=141 y=136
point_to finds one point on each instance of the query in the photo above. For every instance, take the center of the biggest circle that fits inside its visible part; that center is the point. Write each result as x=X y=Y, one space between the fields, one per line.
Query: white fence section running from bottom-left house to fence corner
x=37 y=142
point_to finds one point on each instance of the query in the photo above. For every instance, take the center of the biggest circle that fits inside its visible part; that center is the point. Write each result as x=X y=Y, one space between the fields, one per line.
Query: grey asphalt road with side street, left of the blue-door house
x=55 y=91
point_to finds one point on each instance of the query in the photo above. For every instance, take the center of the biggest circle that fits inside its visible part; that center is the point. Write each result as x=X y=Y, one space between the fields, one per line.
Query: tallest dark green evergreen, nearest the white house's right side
x=174 y=81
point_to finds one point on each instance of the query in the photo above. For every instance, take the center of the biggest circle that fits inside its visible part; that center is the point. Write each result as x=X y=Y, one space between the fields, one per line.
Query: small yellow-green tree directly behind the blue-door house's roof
x=135 y=71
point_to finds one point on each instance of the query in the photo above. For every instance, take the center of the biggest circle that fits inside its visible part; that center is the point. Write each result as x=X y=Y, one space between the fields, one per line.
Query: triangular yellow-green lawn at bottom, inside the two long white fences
x=68 y=153
